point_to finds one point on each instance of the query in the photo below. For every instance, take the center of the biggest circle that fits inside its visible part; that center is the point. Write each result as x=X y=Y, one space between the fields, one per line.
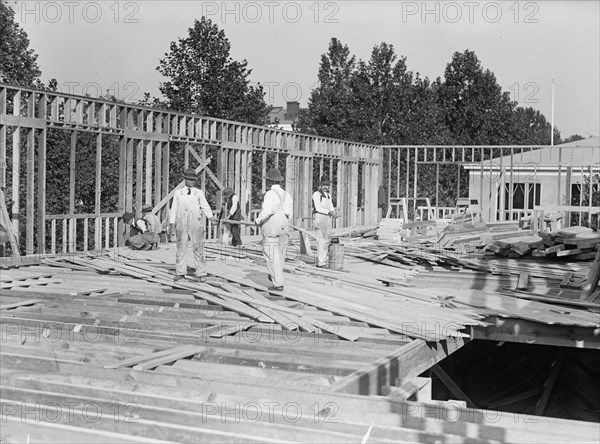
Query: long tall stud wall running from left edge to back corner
x=145 y=135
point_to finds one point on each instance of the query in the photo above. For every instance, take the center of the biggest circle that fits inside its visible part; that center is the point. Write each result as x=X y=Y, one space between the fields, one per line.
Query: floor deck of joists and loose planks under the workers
x=226 y=361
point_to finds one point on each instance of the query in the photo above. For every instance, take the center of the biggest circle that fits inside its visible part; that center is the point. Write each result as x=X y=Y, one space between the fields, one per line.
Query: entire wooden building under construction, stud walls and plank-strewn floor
x=466 y=309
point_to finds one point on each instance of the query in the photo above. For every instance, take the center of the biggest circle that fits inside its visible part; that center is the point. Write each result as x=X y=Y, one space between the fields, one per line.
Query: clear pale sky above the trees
x=90 y=46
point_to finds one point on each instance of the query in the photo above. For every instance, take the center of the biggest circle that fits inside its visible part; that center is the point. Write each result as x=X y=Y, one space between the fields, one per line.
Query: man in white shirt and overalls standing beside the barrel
x=323 y=212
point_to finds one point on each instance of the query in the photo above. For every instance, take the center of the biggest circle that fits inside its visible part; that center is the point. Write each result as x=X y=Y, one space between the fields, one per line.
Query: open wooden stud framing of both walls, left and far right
x=225 y=153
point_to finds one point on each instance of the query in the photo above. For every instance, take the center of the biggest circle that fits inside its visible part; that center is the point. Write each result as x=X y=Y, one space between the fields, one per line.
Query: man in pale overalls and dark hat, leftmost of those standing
x=187 y=220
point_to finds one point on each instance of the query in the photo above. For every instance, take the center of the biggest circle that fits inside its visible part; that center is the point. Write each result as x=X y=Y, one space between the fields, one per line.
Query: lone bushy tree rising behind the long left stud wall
x=204 y=79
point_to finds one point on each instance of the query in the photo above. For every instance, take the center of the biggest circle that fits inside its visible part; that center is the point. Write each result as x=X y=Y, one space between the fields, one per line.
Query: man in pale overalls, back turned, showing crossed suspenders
x=274 y=220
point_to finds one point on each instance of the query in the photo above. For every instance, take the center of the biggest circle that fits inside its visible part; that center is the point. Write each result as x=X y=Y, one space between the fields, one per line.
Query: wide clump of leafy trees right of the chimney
x=382 y=102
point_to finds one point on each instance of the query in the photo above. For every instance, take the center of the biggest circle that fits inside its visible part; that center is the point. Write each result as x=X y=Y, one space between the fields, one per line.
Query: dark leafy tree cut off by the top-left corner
x=18 y=63
